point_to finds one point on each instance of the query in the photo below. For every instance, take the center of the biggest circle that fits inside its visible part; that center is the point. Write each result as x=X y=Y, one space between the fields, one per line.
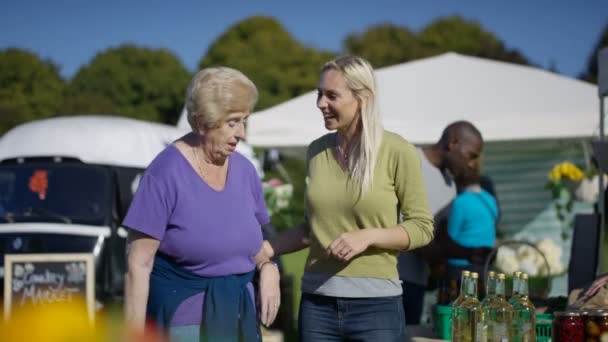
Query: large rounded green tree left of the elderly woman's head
x=132 y=81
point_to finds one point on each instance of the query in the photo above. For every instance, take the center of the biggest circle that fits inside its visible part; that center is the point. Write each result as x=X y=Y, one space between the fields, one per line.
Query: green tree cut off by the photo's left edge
x=30 y=88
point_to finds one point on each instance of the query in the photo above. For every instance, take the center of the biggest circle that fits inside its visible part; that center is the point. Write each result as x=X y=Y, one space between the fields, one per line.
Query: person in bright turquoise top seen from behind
x=472 y=220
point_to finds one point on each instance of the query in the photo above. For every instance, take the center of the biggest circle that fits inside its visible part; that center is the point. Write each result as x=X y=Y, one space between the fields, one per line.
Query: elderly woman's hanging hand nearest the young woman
x=270 y=291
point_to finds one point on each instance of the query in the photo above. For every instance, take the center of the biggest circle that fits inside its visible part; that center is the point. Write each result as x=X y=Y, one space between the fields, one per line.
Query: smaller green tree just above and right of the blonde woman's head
x=385 y=44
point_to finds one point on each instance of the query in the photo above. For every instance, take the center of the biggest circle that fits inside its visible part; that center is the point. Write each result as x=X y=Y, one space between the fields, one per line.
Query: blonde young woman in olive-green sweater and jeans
x=365 y=202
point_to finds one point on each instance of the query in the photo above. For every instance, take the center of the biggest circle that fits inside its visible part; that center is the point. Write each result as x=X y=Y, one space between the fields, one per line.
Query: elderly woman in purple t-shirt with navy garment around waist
x=194 y=224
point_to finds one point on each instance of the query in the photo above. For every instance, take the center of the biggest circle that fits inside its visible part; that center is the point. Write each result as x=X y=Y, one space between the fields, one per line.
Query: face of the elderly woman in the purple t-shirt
x=223 y=139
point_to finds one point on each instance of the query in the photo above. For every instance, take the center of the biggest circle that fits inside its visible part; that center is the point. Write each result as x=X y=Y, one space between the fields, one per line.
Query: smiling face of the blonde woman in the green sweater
x=336 y=101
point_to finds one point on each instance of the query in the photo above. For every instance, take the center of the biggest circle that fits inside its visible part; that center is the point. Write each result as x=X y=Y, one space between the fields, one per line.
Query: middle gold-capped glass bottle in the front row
x=499 y=315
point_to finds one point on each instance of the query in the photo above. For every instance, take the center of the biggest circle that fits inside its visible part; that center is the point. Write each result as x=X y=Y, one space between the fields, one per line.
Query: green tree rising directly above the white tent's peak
x=467 y=37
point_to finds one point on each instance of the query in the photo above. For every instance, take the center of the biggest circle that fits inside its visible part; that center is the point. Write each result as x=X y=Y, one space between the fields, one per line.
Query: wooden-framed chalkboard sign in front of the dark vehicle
x=43 y=279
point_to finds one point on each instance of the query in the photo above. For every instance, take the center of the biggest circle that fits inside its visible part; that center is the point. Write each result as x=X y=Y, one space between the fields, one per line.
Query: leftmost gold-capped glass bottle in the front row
x=469 y=317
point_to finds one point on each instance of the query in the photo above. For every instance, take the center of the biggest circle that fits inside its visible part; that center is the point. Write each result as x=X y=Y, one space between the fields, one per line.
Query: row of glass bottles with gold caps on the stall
x=494 y=319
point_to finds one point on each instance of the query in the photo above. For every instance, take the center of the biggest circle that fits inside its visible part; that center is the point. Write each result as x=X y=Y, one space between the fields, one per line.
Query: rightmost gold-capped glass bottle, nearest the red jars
x=524 y=322
